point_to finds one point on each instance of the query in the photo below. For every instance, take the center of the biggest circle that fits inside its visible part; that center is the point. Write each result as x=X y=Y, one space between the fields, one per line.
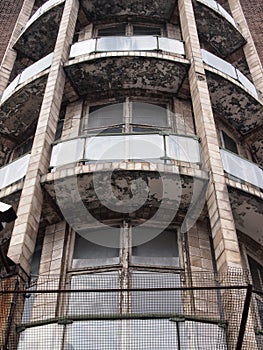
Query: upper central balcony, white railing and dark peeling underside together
x=139 y=62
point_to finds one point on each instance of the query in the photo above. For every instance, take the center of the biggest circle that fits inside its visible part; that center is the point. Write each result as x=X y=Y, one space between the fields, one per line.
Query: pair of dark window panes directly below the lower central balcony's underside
x=160 y=250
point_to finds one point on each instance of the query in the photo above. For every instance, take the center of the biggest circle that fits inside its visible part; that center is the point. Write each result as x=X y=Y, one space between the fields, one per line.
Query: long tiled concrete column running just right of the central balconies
x=220 y=213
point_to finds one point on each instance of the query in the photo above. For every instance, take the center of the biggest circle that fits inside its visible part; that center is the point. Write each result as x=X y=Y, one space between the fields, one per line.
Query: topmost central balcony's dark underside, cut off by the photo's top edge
x=97 y=10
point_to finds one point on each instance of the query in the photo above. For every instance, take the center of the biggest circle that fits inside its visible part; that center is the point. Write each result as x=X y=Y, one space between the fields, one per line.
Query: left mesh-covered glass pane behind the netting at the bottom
x=94 y=303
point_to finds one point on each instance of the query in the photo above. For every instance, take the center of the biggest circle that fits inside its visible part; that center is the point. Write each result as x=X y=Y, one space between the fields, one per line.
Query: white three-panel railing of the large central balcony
x=152 y=147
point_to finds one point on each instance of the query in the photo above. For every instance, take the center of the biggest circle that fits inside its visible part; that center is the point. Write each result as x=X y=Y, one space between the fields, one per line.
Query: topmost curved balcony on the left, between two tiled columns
x=39 y=35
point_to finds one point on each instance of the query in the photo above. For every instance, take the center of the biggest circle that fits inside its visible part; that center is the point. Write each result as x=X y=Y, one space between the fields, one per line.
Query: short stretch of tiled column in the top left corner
x=10 y=54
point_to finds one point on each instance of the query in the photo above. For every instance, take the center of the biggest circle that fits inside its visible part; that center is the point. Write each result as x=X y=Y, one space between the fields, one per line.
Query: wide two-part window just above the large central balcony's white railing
x=125 y=117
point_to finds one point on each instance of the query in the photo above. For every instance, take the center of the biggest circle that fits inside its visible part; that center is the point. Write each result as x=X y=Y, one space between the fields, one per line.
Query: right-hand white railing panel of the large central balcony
x=183 y=148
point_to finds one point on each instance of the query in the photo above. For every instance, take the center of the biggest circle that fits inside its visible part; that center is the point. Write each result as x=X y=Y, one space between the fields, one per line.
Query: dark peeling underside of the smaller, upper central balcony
x=126 y=72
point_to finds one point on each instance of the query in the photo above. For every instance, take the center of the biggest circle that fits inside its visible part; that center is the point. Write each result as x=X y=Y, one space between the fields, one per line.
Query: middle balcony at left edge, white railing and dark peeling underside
x=21 y=100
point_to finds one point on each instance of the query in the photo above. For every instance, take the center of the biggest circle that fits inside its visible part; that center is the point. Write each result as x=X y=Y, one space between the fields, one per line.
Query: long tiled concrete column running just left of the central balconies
x=29 y=211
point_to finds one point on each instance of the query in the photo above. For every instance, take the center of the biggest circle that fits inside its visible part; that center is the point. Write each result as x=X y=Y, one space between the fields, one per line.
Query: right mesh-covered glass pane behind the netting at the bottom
x=156 y=302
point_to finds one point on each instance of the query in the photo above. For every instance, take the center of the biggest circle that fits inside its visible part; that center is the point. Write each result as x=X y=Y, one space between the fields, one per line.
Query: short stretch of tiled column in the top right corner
x=250 y=51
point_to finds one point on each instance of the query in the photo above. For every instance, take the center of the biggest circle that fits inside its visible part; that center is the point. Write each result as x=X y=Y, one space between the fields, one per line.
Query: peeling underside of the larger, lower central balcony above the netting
x=126 y=185
